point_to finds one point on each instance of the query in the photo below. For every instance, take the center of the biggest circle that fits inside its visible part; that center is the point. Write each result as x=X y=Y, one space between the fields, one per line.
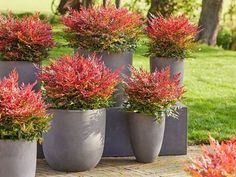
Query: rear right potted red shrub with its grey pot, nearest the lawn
x=169 y=42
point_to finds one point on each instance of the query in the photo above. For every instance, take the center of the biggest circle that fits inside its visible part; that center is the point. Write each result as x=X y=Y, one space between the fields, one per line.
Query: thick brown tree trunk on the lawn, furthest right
x=209 y=21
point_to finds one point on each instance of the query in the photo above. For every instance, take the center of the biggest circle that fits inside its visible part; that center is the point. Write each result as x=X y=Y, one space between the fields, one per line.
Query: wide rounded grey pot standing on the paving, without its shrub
x=75 y=141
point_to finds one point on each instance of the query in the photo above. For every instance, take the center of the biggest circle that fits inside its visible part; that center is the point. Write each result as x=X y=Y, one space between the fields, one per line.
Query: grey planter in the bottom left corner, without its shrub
x=17 y=158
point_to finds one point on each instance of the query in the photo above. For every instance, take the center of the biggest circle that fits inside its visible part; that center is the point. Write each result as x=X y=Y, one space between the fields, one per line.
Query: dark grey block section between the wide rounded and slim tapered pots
x=117 y=141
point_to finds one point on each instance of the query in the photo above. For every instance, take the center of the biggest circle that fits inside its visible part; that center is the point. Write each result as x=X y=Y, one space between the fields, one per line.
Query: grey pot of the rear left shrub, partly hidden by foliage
x=27 y=71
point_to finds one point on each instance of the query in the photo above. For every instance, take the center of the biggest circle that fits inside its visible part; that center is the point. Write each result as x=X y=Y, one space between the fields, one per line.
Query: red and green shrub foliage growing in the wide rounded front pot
x=75 y=82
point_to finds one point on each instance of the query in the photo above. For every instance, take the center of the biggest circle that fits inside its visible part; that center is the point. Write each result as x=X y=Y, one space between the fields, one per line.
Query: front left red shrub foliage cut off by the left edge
x=22 y=110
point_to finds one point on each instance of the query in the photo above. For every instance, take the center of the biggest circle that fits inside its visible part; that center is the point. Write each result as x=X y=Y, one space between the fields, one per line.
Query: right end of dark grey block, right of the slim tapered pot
x=176 y=131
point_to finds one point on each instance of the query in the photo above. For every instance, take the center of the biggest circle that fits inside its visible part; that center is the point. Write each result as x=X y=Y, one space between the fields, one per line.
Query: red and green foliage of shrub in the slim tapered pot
x=152 y=93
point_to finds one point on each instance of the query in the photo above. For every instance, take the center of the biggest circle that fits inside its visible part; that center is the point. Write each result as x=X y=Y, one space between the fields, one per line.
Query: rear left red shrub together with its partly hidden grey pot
x=24 y=43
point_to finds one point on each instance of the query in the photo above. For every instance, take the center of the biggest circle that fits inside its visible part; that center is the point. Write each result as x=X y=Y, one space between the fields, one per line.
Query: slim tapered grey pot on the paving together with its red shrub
x=149 y=97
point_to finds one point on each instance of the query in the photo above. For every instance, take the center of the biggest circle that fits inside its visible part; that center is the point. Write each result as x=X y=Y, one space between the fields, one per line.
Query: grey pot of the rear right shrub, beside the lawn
x=176 y=66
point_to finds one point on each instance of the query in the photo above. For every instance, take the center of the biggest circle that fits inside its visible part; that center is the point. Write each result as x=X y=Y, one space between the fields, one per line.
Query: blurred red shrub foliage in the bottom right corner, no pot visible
x=218 y=160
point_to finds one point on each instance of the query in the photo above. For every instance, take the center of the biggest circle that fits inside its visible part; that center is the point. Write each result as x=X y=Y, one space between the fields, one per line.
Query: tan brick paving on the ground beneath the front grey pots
x=164 y=166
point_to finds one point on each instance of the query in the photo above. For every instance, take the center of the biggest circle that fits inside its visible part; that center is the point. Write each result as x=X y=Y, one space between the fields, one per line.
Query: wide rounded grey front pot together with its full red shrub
x=78 y=89
